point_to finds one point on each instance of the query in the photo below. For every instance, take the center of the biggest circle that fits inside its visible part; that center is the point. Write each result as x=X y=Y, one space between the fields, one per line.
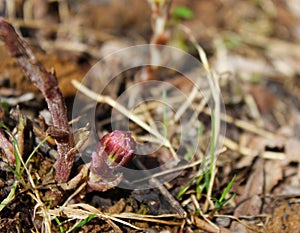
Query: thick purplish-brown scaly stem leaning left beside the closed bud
x=48 y=85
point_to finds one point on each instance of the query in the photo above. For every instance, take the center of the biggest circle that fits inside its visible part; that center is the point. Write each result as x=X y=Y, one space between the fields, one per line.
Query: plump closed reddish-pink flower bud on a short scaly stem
x=114 y=151
